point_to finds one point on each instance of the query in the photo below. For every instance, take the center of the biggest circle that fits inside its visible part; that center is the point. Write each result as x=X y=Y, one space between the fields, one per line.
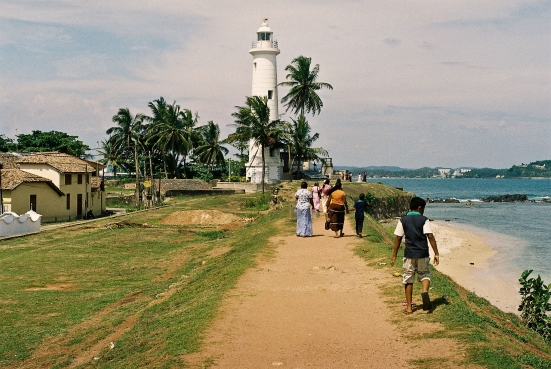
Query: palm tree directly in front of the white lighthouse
x=253 y=123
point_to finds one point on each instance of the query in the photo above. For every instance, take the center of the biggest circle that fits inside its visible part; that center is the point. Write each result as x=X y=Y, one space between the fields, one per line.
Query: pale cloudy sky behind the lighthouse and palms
x=463 y=83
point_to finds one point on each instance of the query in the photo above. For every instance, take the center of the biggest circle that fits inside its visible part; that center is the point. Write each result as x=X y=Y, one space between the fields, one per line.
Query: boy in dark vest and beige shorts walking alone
x=418 y=233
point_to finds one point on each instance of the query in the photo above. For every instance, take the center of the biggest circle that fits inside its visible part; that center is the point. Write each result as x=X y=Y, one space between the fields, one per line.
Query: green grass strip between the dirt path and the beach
x=493 y=339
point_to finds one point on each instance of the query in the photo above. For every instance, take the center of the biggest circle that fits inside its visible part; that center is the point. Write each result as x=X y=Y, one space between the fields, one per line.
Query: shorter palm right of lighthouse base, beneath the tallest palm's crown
x=300 y=142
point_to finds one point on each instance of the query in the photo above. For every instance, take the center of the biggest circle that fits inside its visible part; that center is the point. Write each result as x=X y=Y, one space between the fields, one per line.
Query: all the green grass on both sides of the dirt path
x=158 y=287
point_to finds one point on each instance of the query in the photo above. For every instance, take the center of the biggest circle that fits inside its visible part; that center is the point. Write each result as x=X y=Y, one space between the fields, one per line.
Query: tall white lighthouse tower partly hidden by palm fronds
x=264 y=51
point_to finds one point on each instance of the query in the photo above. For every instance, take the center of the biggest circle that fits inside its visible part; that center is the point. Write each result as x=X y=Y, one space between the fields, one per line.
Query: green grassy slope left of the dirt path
x=63 y=291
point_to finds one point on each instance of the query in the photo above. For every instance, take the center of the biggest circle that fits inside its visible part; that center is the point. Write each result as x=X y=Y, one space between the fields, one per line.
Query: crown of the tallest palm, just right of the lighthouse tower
x=303 y=98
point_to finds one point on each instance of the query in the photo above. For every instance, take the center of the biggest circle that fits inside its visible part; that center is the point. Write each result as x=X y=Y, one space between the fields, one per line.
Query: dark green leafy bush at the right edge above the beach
x=535 y=304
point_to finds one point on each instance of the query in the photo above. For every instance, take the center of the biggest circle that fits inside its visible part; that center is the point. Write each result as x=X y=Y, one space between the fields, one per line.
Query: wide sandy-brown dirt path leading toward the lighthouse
x=315 y=305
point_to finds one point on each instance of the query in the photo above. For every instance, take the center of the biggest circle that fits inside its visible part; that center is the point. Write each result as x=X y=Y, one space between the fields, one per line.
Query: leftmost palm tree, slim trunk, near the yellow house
x=125 y=136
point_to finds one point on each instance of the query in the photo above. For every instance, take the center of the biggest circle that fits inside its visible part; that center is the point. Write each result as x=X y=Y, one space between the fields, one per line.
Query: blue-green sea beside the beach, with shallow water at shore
x=519 y=232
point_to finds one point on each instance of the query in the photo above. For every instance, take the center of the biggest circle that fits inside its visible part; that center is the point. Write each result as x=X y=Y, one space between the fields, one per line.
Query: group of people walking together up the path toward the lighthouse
x=331 y=201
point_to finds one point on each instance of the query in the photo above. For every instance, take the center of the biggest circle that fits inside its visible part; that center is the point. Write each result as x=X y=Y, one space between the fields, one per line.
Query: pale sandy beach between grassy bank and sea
x=466 y=258
